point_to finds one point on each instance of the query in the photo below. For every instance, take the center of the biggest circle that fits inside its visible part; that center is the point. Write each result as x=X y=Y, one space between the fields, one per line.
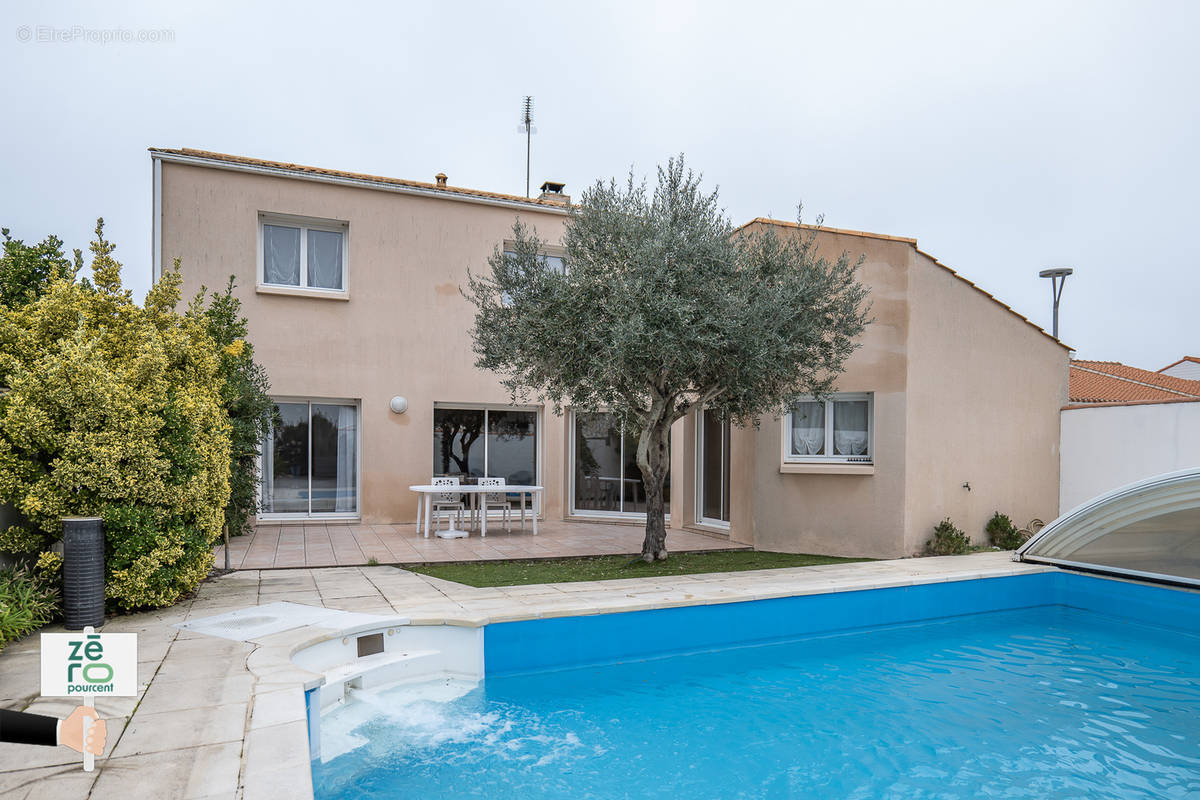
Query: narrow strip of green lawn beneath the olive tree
x=609 y=568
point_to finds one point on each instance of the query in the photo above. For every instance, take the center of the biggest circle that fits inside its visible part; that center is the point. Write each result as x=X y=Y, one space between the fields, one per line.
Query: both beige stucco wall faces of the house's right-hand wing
x=965 y=392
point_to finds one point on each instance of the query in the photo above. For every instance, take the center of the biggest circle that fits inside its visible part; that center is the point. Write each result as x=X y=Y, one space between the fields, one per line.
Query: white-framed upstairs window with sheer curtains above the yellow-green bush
x=303 y=255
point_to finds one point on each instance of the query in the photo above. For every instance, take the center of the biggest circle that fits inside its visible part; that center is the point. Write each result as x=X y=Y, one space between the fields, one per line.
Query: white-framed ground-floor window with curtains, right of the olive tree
x=837 y=429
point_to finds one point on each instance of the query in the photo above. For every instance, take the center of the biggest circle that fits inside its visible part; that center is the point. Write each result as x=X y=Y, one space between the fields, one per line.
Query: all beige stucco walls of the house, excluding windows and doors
x=976 y=388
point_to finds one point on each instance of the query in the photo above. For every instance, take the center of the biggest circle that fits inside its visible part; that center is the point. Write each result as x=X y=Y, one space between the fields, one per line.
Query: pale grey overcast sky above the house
x=1006 y=137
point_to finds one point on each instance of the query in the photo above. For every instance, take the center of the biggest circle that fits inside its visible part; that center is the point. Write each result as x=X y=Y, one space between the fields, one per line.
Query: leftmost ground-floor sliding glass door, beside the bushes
x=311 y=460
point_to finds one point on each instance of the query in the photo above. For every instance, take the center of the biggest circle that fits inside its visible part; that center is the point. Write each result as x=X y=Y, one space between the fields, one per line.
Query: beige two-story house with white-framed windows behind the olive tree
x=352 y=282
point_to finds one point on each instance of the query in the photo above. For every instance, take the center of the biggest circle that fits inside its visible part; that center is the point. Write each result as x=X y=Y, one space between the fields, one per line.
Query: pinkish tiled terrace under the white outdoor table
x=341 y=545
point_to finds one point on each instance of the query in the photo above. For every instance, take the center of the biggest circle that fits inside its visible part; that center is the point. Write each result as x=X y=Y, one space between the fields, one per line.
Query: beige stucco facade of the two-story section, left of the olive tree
x=405 y=329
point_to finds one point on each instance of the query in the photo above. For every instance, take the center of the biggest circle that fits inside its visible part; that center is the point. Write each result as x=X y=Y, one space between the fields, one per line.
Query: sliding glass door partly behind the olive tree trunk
x=608 y=480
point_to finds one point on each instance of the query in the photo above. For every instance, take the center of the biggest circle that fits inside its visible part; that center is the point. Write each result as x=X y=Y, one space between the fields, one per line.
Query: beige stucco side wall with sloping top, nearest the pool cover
x=985 y=393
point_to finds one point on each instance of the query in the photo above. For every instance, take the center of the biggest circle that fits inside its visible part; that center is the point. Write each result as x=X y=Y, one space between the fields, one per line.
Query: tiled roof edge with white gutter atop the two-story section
x=223 y=160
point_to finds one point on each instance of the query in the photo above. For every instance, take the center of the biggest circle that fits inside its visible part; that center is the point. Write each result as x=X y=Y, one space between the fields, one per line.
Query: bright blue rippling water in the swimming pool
x=1046 y=702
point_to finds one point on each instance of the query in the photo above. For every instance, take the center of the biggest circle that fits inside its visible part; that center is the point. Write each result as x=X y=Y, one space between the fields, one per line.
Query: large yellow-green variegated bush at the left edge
x=116 y=411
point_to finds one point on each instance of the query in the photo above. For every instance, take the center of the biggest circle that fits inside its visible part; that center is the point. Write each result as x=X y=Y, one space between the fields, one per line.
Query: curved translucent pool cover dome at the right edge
x=1148 y=531
